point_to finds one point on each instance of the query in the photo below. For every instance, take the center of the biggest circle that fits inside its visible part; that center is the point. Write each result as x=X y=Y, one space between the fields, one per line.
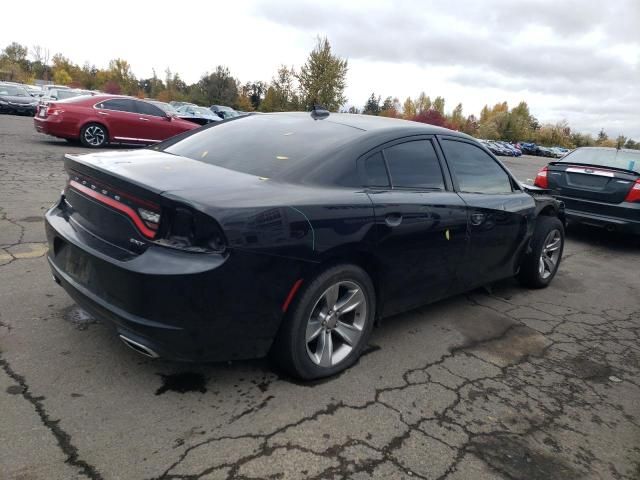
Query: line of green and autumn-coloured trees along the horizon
x=321 y=80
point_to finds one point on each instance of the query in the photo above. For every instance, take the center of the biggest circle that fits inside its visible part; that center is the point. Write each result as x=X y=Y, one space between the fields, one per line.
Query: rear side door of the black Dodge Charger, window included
x=420 y=222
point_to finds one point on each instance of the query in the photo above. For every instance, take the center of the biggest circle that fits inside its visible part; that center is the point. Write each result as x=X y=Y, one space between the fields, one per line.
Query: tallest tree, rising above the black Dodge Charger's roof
x=323 y=78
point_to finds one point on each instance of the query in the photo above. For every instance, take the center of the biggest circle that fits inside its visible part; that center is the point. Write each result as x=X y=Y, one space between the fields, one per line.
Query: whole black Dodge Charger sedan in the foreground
x=291 y=234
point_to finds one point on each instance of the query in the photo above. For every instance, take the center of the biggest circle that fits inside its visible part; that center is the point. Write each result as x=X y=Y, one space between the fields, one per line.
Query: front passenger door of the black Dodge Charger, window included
x=501 y=215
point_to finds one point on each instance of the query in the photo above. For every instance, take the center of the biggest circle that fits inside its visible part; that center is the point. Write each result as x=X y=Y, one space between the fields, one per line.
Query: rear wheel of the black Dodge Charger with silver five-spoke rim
x=328 y=326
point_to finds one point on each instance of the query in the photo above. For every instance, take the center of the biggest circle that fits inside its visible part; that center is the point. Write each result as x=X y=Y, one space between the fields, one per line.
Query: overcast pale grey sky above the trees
x=577 y=60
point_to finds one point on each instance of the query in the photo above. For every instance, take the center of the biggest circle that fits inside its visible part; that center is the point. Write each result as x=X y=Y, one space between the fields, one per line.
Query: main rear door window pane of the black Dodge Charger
x=414 y=165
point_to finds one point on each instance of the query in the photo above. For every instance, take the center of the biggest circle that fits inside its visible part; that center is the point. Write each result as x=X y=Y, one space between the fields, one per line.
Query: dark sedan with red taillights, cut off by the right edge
x=599 y=186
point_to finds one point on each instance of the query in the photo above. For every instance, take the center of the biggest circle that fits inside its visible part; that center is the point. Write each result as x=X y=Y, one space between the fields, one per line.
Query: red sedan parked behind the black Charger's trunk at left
x=102 y=119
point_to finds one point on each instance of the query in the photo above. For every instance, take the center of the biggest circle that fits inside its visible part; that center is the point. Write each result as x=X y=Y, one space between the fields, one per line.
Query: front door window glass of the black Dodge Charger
x=474 y=169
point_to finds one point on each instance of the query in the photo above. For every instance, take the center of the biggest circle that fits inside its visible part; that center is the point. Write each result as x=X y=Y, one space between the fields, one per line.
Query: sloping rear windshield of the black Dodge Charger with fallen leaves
x=263 y=145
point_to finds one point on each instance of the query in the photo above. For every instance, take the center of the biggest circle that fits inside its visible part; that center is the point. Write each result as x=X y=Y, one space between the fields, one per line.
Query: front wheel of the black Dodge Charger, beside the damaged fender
x=541 y=264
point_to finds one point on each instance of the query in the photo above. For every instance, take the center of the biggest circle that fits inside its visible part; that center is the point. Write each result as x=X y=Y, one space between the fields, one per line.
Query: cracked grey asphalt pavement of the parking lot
x=503 y=383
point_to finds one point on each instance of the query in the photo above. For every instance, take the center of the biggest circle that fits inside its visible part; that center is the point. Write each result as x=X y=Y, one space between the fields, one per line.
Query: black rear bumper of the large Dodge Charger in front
x=183 y=306
